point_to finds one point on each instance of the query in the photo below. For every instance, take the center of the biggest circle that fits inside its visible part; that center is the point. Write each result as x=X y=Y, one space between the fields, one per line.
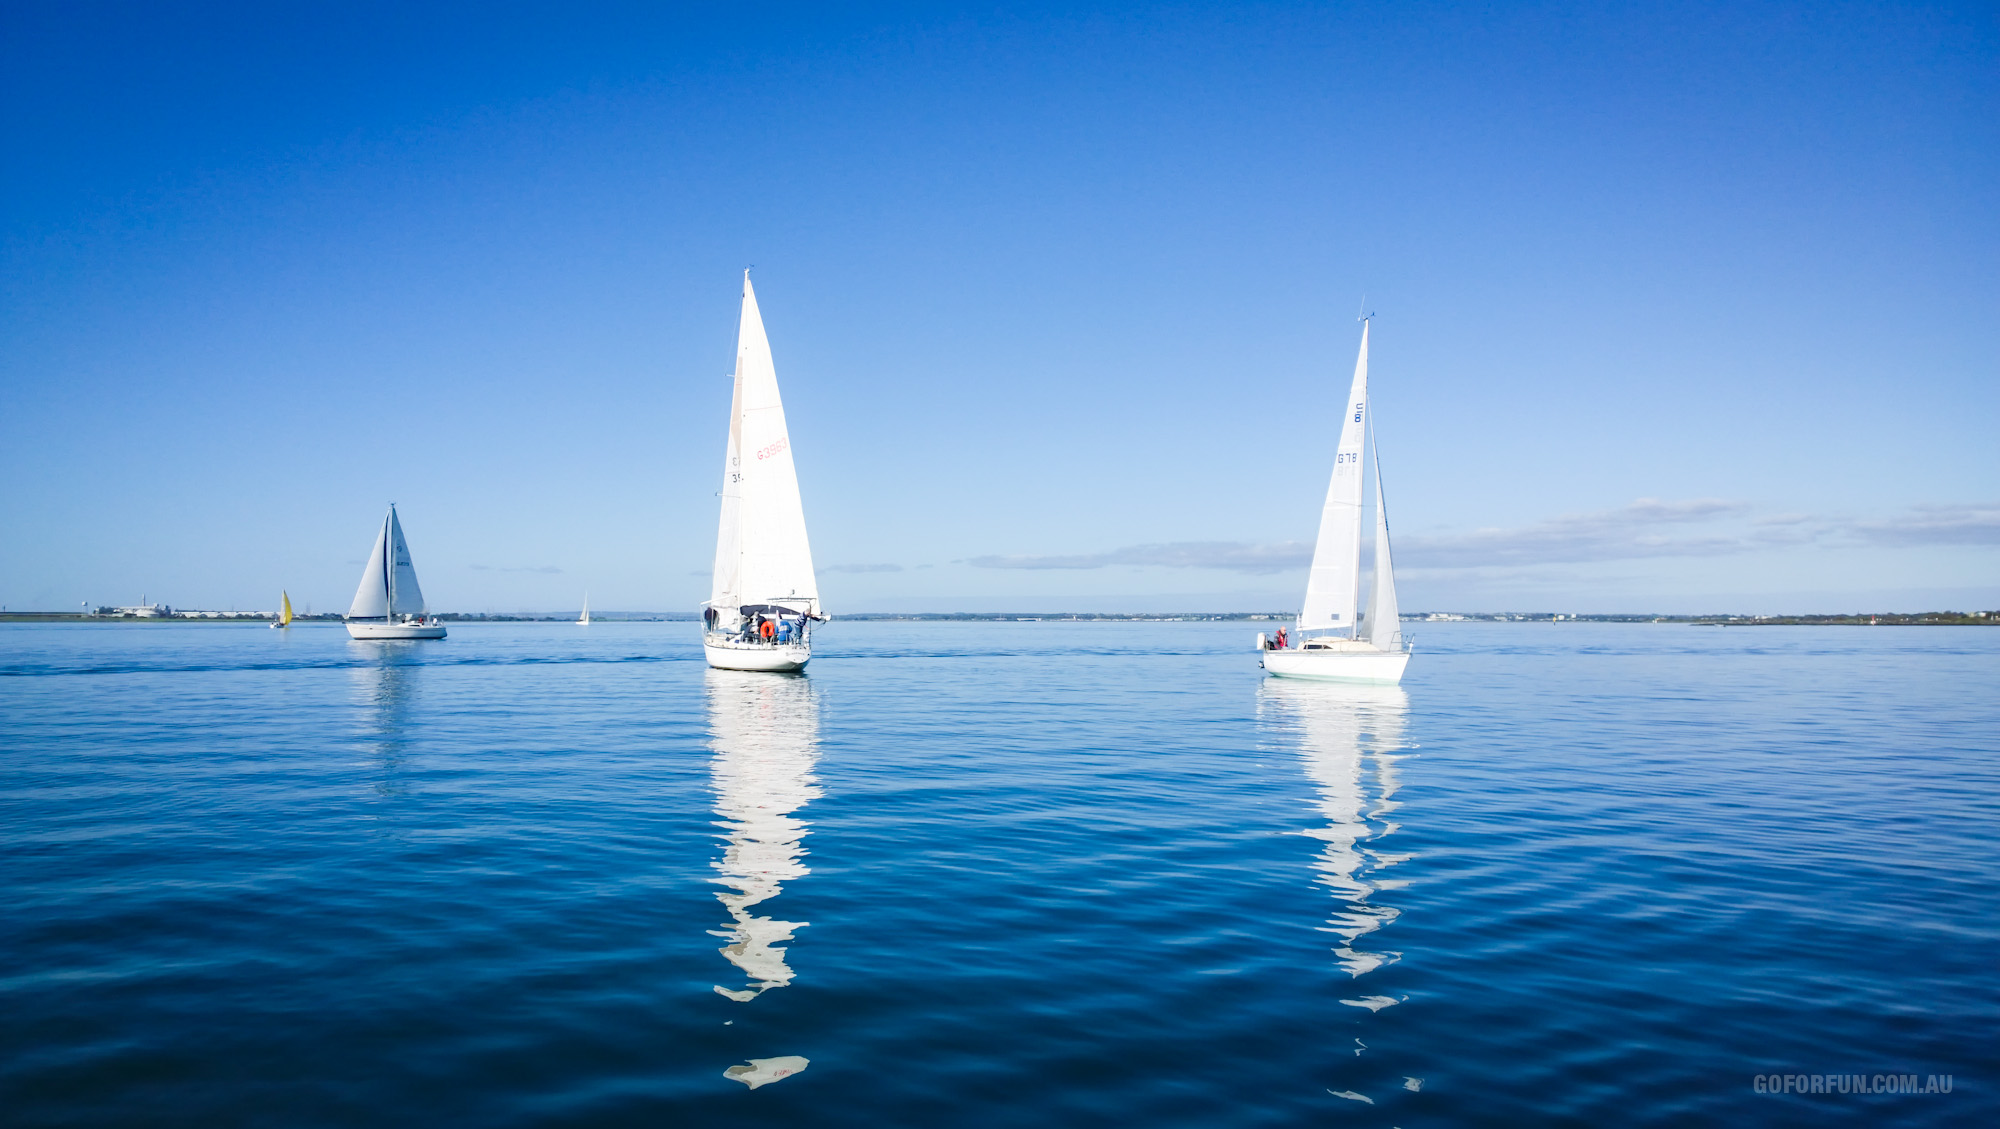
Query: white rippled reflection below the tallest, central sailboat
x=765 y=732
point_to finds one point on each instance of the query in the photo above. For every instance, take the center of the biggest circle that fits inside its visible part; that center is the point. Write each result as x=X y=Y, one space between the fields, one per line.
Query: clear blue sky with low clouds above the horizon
x=1679 y=309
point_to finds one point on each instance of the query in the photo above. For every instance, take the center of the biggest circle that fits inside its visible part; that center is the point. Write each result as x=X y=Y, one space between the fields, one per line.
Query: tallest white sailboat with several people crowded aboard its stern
x=763 y=600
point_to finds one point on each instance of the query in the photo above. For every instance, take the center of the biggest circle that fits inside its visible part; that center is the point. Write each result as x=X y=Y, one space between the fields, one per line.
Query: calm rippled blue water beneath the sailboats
x=1035 y=874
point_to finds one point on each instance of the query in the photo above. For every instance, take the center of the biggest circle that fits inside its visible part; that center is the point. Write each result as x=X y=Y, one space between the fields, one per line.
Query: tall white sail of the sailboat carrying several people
x=761 y=547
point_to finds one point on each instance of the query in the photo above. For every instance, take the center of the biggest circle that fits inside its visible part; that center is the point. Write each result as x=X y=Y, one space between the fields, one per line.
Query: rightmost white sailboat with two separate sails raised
x=1337 y=640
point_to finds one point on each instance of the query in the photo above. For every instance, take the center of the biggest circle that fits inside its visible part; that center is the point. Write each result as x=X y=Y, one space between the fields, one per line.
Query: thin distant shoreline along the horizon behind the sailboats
x=1859 y=620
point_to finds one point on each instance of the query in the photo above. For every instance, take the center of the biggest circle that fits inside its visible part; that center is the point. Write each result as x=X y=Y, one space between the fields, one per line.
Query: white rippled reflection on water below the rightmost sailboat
x=1341 y=734
